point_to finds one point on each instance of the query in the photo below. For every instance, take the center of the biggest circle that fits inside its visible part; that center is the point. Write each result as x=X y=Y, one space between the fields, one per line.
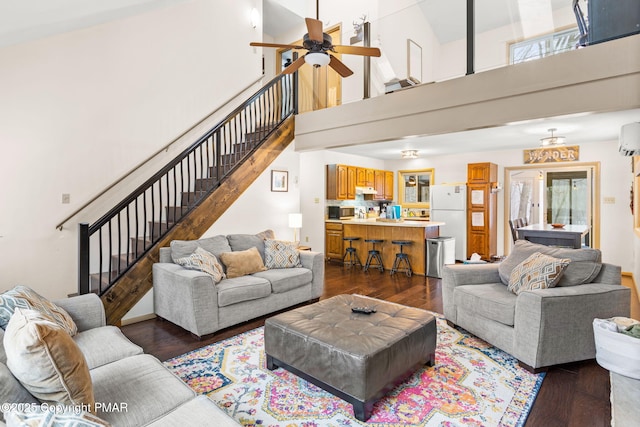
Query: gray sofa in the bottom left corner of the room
x=122 y=375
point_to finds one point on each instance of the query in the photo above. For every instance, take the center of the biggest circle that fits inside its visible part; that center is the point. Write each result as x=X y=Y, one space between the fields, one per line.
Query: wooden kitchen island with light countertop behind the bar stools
x=373 y=228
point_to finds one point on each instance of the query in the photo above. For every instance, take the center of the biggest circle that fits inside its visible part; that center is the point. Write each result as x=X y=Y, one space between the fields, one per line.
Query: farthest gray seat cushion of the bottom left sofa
x=91 y=343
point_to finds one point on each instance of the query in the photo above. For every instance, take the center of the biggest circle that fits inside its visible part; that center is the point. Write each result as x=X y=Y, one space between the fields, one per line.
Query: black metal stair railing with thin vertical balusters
x=113 y=244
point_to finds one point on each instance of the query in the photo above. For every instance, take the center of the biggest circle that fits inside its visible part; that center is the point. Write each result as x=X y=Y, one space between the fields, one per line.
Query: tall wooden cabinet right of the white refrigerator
x=482 y=212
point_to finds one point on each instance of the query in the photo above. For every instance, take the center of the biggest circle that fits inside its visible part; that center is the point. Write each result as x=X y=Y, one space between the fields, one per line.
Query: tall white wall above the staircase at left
x=79 y=109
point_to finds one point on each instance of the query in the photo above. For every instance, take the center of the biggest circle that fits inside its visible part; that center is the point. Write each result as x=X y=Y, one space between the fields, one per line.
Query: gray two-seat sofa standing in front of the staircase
x=191 y=299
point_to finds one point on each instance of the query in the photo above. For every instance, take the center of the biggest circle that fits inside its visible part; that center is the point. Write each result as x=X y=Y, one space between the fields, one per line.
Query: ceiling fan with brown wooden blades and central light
x=319 y=44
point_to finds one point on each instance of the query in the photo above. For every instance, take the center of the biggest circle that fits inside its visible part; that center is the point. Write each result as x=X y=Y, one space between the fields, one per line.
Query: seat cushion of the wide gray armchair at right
x=493 y=301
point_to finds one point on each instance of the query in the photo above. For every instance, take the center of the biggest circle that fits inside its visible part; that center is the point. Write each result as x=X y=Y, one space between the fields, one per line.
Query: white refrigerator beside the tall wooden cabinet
x=449 y=205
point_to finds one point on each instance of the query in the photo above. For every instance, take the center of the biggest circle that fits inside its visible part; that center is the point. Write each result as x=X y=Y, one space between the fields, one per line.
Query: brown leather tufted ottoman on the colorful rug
x=357 y=357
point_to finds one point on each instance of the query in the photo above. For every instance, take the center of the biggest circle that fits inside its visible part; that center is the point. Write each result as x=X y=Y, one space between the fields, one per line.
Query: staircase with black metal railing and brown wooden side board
x=183 y=199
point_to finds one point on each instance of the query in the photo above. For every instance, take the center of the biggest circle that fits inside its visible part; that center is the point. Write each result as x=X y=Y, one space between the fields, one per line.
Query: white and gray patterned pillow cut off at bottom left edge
x=70 y=417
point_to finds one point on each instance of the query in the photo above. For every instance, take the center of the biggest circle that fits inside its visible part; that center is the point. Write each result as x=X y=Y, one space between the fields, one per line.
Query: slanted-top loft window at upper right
x=547 y=45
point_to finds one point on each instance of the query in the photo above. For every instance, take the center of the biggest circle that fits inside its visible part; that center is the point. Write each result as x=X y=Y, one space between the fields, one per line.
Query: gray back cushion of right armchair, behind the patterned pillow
x=584 y=267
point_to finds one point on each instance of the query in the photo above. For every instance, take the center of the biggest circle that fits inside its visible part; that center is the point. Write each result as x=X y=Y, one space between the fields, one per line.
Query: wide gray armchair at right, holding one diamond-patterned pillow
x=540 y=327
